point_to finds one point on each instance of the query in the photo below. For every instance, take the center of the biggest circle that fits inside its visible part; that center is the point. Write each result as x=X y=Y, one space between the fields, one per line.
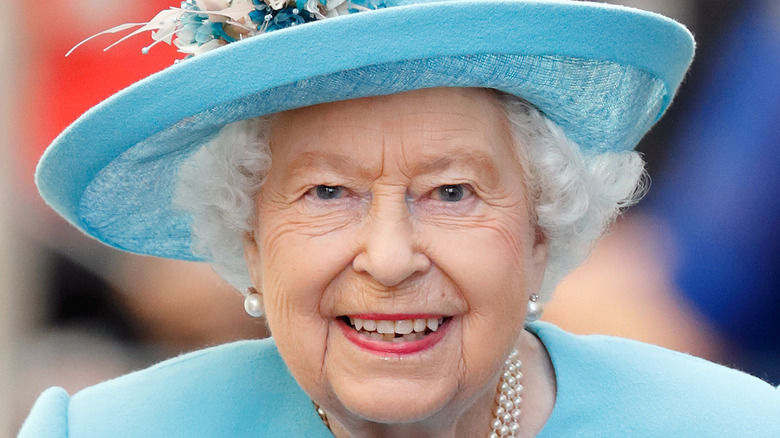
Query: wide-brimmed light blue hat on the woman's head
x=605 y=74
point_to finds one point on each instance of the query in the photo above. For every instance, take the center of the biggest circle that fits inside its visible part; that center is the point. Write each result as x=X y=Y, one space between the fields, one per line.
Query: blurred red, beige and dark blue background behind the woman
x=693 y=268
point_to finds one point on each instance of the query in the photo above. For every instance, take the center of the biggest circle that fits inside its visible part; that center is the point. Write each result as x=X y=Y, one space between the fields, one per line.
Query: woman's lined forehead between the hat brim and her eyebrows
x=431 y=128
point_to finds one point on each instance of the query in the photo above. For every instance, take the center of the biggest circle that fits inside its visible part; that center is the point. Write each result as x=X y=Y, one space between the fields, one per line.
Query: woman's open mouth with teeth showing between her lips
x=395 y=330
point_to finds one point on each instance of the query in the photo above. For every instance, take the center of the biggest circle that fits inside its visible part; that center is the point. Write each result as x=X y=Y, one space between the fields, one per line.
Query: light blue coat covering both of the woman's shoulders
x=607 y=387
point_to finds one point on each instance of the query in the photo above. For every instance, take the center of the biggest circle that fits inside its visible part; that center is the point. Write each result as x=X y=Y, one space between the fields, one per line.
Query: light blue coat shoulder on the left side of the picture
x=237 y=389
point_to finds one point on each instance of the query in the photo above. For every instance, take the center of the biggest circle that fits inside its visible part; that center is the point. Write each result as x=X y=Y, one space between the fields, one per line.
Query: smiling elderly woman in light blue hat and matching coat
x=398 y=191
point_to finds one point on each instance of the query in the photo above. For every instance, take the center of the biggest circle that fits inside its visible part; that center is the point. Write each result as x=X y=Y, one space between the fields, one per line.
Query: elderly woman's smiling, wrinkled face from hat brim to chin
x=402 y=207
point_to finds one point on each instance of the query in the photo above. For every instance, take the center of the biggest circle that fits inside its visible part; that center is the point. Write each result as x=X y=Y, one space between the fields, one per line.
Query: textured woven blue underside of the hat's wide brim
x=599 y=104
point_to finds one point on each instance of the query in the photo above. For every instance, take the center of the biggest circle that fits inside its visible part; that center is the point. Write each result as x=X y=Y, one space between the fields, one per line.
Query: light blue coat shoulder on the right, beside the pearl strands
x=613 y=384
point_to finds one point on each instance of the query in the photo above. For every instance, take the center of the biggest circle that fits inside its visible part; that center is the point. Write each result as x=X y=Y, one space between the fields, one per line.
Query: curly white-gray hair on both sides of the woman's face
x=575 y=194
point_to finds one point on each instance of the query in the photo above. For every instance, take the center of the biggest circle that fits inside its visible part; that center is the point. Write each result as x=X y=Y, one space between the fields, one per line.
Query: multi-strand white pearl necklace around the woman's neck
x=508 y=400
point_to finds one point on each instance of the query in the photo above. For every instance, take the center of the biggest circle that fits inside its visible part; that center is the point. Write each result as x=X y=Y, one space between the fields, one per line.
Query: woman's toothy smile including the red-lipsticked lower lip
x=394 y=334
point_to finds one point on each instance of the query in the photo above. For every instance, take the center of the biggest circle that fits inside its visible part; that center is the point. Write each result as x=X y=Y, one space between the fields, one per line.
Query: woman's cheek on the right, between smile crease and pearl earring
x=488 y=266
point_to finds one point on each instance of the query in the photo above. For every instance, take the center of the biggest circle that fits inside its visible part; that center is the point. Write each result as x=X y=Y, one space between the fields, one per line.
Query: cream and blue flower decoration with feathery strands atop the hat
x=198 y=26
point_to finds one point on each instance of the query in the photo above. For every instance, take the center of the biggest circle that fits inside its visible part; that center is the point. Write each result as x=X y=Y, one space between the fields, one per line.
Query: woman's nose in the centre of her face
x=390 y=250
